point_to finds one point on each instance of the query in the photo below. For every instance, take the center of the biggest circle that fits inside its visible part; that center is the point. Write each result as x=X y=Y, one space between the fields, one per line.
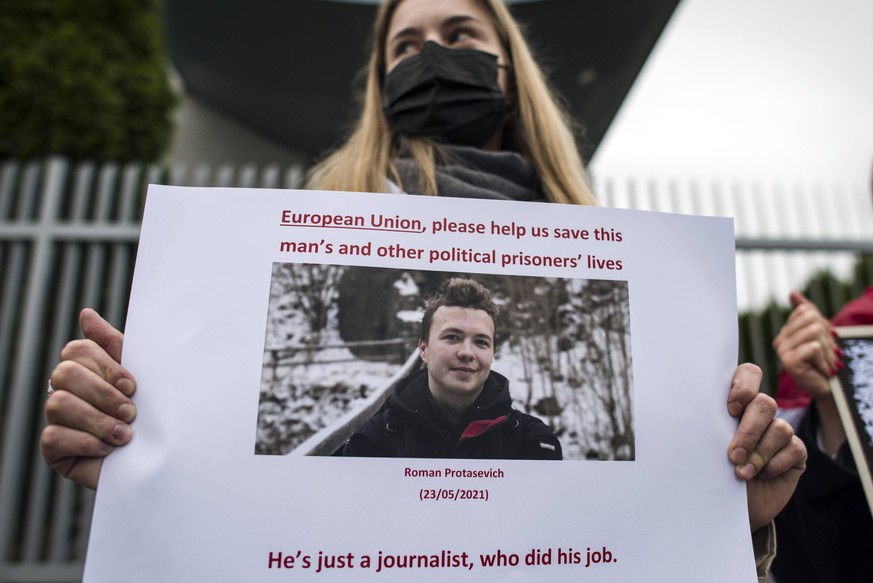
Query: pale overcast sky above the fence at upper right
x=752 y=89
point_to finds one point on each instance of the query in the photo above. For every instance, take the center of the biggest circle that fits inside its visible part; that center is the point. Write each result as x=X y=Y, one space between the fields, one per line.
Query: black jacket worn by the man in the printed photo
x=413 y=425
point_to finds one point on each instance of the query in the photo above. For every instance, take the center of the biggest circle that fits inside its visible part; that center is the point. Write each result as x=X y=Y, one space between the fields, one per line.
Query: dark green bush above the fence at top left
x=86 y=79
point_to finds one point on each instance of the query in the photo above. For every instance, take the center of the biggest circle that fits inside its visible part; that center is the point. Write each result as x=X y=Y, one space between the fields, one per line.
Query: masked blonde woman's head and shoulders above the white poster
x=455 y=105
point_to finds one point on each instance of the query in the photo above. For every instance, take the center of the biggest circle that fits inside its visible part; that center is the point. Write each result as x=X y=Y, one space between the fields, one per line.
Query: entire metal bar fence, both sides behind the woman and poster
x=68 y=236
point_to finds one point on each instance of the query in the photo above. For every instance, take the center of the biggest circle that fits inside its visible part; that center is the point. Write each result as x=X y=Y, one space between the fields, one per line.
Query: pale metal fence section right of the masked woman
x=787 y=237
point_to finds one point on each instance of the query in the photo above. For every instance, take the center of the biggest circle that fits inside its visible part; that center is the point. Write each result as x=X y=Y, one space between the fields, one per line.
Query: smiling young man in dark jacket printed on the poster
x=456 y=407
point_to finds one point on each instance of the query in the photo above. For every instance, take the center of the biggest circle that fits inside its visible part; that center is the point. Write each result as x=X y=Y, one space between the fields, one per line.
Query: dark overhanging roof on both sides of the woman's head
x=286 y=68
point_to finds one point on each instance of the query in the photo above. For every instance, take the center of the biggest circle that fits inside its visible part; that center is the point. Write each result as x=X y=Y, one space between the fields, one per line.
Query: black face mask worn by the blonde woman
x=451 y=95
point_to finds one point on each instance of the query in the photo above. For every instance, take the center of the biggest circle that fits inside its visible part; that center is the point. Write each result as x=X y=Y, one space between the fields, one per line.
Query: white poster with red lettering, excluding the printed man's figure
x=265 y=325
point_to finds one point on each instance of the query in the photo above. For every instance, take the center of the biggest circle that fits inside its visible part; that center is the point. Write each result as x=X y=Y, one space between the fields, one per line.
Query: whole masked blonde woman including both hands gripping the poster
x=455 y=106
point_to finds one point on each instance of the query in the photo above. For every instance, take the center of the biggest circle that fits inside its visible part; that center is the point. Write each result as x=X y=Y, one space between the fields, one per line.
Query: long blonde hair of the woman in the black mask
x=539 y=129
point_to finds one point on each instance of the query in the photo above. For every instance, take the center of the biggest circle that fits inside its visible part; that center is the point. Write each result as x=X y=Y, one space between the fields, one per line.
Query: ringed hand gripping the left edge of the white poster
x=90 y=410
